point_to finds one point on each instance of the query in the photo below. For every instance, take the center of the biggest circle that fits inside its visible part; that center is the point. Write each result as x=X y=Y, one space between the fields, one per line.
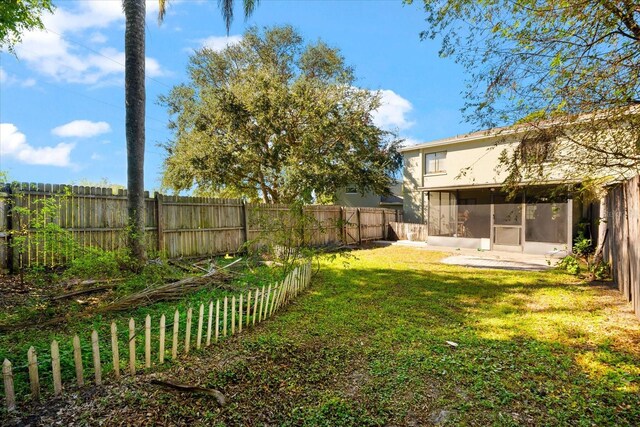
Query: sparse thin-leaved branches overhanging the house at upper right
x=571 y=65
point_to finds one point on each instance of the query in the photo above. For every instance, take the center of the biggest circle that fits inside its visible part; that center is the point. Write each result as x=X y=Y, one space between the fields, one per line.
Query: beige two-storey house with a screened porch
x=454 y=186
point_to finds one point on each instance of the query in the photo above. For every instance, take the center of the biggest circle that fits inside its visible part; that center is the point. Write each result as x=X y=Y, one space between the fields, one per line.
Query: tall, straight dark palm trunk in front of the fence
x=134 y=74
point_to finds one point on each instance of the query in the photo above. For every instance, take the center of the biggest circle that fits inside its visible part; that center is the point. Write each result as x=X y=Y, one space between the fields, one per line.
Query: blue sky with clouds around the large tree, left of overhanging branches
x=62 y=97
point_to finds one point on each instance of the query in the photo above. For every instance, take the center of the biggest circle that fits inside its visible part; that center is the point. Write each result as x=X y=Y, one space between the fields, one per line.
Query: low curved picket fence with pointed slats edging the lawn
x=161 y=339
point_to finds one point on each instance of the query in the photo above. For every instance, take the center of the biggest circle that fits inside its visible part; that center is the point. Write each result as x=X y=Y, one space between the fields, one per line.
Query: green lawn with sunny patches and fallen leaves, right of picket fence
x=366 y=345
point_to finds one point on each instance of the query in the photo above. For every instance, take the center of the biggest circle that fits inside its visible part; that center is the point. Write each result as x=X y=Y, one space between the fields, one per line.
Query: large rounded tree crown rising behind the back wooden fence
x=273 y=119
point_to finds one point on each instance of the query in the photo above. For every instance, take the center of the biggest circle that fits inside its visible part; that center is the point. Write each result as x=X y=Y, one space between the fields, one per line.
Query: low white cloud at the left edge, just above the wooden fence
x=13 y=143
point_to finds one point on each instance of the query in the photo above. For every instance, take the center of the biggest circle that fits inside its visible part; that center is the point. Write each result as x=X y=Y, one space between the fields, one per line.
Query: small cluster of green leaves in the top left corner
x=19 y=16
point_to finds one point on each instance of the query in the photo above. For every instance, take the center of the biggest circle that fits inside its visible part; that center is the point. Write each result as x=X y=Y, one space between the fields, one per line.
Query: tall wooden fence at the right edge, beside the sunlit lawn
x=622 y=247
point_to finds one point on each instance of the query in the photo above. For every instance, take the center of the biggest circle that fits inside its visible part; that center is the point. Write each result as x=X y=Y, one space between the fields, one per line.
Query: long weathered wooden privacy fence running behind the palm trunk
x=176 y=226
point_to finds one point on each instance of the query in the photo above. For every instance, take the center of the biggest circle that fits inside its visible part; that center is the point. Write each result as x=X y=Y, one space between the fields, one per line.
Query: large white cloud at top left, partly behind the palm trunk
x=54 y=52
